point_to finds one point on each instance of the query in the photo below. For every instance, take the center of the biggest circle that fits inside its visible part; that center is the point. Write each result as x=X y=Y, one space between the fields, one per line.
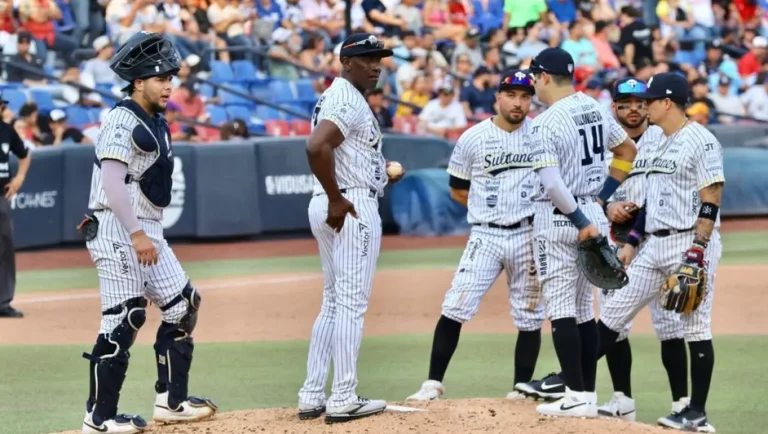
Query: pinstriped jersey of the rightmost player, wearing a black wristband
x=690 y=161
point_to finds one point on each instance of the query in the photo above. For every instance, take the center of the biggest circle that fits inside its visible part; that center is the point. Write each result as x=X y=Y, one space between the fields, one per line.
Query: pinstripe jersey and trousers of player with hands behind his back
x=499 y=166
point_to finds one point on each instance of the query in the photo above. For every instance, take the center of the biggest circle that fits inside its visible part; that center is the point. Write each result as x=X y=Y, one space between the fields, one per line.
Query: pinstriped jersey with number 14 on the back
x=574 y=134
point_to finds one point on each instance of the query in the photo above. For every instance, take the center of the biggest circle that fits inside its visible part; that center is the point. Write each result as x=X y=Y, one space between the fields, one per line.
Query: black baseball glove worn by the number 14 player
x=600 y=265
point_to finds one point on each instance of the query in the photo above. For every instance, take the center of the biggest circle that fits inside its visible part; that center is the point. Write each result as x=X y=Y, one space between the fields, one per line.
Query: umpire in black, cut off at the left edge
x=9 y=186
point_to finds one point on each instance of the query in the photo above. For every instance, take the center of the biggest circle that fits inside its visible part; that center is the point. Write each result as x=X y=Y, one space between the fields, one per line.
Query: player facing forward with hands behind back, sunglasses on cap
x=491 y=172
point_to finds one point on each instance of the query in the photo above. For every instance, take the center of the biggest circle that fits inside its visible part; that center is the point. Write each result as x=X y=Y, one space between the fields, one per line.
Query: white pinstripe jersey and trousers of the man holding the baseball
x=349 y=257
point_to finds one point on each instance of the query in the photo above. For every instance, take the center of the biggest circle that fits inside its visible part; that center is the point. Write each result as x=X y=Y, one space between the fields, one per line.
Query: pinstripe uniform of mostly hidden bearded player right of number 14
x=666 y=323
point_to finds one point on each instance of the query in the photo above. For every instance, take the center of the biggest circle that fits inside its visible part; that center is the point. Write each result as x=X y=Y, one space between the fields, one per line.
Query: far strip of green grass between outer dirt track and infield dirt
x=739 y=248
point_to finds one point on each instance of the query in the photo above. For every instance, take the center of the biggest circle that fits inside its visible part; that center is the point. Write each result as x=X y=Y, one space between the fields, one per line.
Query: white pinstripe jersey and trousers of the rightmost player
x=682 y=165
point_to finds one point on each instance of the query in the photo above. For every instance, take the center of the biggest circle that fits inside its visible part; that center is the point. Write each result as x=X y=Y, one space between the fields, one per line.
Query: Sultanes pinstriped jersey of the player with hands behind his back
x=500 y=167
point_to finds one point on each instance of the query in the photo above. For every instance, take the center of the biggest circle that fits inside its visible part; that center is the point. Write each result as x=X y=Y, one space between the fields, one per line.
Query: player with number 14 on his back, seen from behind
x=570 y=140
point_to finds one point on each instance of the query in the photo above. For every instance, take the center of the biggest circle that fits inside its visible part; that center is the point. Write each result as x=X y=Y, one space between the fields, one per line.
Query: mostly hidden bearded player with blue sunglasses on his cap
x=622 y=209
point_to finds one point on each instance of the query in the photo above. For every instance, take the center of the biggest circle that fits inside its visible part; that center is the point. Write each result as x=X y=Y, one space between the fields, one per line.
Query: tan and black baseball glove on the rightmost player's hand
x=684 y=289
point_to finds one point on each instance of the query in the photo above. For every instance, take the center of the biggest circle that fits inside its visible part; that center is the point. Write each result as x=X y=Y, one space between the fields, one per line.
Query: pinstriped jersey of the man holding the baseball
x=359 y=161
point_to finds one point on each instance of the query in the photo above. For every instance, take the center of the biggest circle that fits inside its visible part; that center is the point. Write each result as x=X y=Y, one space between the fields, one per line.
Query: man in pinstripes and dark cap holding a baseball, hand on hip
x=344 y=152
